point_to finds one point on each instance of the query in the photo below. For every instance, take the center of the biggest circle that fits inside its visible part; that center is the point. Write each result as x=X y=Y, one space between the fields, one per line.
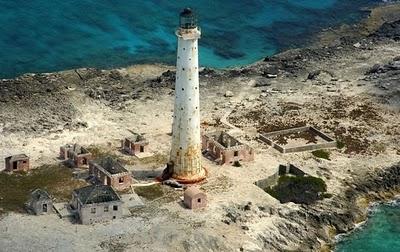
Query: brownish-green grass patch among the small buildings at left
x=15 y=188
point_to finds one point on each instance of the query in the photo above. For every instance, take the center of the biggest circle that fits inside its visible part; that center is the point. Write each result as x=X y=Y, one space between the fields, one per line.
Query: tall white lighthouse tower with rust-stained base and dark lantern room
x=185 y=159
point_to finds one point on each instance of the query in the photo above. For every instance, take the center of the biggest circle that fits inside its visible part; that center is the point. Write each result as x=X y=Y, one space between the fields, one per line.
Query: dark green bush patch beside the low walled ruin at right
x=298 y=189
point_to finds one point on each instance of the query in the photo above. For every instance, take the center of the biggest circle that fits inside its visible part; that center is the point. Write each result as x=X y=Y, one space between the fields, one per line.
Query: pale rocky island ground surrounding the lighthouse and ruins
x=347 y=85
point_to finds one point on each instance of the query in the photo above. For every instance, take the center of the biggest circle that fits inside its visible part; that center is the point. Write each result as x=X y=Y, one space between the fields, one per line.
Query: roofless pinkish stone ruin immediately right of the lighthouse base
x=225 y=149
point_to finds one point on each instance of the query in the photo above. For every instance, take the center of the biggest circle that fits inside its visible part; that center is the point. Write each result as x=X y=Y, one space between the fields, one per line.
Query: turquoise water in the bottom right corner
x=380 y=233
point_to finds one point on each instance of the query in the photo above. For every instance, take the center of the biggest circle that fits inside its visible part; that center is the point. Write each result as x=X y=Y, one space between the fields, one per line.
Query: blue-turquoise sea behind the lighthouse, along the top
x=44 y=36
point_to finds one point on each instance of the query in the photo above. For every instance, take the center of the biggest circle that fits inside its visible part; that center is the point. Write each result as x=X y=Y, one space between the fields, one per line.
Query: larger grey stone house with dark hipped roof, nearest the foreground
x=96 y=203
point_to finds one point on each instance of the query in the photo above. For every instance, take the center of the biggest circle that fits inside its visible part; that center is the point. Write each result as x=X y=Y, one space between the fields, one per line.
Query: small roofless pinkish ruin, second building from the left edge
x=75 y=154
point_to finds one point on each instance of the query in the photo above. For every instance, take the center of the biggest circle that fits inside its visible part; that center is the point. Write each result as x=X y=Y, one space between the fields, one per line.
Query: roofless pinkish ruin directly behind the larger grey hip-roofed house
x=110 y=172
